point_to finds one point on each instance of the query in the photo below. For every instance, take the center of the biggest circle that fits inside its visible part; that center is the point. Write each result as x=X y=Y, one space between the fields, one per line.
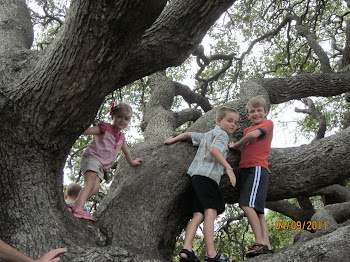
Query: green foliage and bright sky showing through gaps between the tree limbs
x=281 y=53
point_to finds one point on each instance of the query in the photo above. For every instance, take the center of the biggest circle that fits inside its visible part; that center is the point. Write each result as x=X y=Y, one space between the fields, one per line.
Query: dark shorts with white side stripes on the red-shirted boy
x=254 y=181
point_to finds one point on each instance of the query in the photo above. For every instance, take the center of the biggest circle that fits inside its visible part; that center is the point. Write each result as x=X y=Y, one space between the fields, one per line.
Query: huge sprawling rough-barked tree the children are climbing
x=53 y=95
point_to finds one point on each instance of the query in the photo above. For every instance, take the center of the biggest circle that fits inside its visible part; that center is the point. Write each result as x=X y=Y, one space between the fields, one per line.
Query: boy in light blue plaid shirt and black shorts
x=206 y=170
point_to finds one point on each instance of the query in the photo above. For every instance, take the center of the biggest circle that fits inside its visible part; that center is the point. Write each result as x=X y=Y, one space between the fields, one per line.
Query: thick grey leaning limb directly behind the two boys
x=159 y=185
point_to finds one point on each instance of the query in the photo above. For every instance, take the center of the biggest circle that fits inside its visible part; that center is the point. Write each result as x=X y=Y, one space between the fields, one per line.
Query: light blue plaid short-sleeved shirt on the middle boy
x=204 y=163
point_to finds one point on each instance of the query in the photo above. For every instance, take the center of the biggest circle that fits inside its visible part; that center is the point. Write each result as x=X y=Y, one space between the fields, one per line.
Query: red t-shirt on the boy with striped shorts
x=256 y=152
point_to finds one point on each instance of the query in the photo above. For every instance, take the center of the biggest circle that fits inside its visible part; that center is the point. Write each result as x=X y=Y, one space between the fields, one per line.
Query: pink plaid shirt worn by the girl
x=106 y=145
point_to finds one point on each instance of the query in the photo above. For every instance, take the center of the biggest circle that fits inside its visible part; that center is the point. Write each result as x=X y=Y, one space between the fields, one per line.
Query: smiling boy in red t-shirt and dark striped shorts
x=255 y=149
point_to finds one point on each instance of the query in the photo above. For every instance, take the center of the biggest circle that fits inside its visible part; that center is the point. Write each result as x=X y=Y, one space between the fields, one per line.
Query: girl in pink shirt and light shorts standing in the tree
x=101 y=154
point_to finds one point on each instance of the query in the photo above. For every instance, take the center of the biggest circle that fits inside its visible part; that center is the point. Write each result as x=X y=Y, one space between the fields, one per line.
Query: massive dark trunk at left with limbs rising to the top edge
x=48 y=99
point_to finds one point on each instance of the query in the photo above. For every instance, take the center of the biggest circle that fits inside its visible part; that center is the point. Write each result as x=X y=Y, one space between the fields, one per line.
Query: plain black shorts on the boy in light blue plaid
x=206 y=194
